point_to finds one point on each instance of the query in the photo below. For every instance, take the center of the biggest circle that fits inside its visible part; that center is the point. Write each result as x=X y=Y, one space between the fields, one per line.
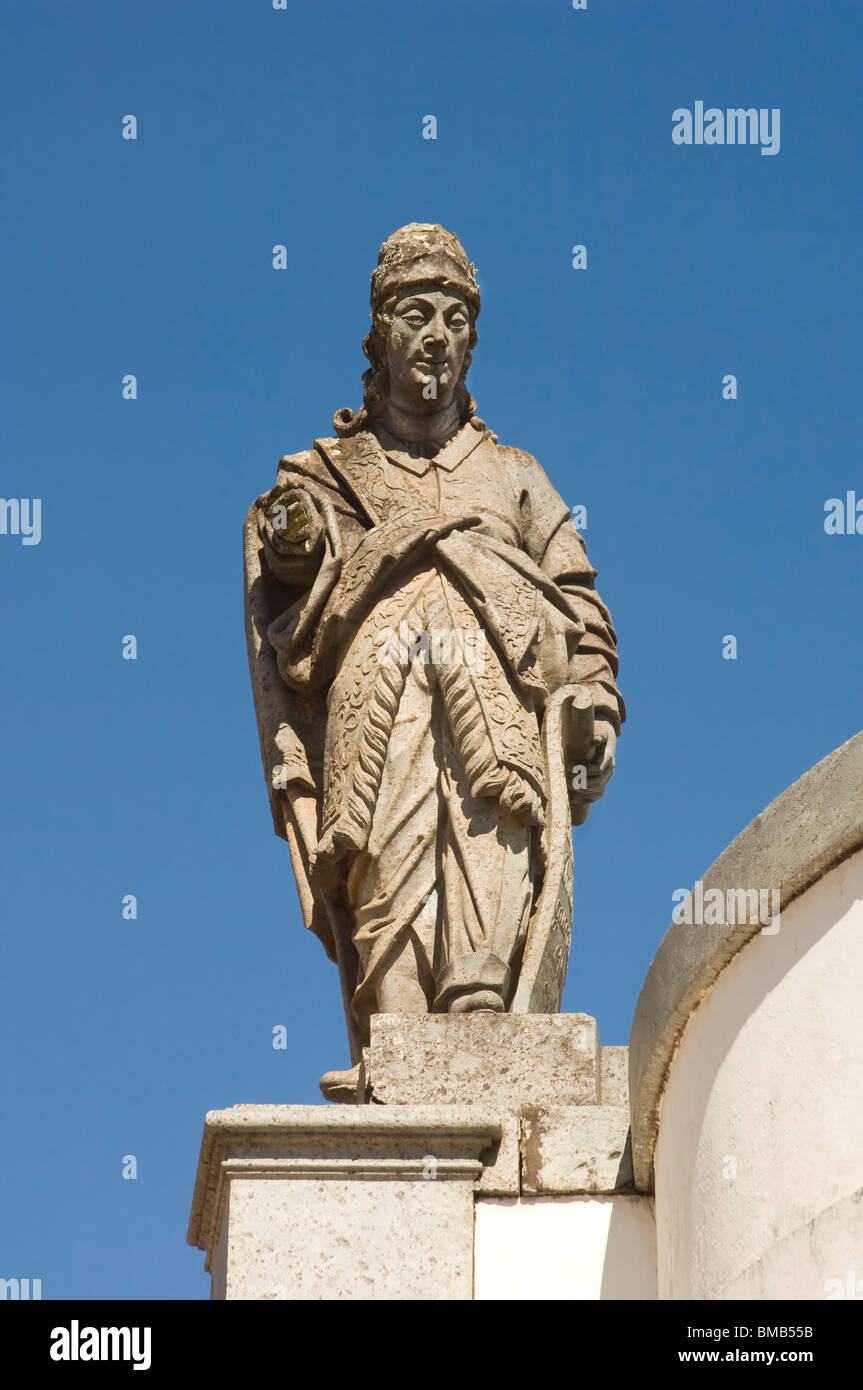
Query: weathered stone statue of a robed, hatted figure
x=434 y=675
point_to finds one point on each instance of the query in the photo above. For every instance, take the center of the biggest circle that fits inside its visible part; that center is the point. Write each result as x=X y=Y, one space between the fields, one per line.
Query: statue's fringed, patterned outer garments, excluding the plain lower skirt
x=475 y=541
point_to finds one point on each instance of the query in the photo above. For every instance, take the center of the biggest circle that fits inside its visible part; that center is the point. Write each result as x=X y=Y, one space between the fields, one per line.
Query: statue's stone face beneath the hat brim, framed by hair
x=426 y=348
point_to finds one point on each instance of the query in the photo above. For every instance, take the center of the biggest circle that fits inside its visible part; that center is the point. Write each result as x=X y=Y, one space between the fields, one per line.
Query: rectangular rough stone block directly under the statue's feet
x=498 y=1061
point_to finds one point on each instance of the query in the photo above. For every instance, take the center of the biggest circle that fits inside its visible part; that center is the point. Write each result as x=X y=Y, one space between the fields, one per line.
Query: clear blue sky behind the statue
x=705 y=516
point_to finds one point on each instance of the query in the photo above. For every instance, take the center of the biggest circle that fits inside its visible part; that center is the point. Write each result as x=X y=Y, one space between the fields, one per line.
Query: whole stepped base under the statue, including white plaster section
x=491 y=1160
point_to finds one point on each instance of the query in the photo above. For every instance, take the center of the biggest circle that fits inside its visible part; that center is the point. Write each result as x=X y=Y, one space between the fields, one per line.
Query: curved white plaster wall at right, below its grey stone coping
x=759 y=1160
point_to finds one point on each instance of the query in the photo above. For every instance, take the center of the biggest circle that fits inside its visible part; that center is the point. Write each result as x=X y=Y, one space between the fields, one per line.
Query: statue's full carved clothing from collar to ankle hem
x=401 y=675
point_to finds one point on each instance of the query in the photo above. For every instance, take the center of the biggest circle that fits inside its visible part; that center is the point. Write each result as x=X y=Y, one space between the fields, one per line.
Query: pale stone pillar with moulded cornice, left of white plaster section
x=297 y=1202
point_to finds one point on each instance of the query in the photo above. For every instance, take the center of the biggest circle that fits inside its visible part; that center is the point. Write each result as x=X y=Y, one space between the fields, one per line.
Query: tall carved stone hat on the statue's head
x=423 y=254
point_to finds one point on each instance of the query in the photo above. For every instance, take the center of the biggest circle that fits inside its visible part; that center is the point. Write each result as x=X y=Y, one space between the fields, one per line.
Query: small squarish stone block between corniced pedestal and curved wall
x=583 y=1149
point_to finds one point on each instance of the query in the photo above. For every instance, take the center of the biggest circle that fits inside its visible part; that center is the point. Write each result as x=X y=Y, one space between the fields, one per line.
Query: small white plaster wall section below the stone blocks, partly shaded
x=565 y=1248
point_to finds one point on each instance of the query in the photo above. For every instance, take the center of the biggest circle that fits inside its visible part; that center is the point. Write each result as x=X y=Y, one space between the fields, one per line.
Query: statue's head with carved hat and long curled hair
x=425 y=306
